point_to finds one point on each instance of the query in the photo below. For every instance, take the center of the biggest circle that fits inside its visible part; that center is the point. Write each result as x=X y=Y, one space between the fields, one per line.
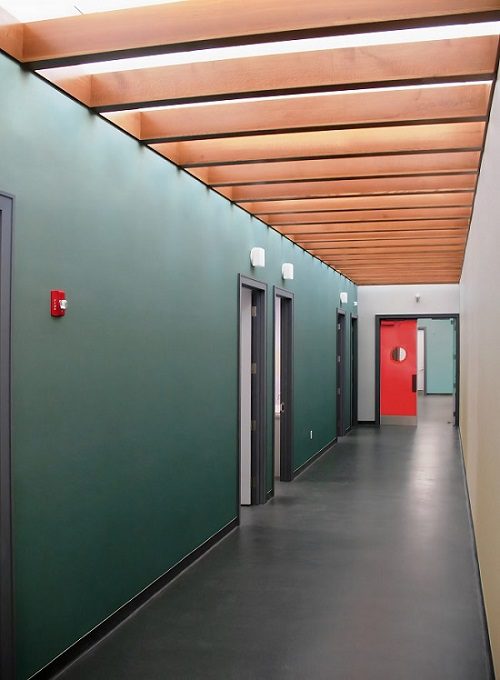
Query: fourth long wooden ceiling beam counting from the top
x=326 y=144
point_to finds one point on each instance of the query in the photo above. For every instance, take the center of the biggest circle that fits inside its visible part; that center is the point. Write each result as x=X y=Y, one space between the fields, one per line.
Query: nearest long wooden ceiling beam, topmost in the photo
x=199 y=24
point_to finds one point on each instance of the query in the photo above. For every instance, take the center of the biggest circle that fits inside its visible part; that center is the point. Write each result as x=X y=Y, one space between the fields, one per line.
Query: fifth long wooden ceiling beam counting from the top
x=340 y=168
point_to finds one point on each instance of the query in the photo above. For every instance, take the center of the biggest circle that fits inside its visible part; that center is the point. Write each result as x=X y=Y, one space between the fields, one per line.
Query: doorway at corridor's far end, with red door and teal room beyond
x=417 y=369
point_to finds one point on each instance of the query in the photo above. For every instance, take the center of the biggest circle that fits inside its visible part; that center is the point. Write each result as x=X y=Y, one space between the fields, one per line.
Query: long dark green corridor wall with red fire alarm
x=124 y=437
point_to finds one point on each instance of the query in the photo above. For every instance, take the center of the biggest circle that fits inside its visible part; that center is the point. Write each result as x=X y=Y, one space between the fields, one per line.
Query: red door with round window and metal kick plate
x=398 y=372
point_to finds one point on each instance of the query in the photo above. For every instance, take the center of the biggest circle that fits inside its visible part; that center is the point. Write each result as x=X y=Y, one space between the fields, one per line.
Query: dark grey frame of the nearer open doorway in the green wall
x=259 y=396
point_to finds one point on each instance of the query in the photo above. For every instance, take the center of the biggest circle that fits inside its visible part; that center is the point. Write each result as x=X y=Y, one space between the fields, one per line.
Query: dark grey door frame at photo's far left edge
x=6 y=571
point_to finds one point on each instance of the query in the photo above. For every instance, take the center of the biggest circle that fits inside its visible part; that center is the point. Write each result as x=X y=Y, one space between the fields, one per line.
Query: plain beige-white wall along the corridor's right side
x=480 y=373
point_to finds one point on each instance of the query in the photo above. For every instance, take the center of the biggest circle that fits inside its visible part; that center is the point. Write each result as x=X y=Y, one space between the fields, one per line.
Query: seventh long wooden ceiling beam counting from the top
x=463 y=199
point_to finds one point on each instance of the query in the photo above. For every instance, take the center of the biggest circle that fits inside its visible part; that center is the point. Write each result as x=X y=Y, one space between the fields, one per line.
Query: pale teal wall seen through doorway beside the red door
x=439 y=351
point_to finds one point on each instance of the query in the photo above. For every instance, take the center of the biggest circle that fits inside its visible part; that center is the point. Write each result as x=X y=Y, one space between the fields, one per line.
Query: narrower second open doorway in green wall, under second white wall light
x=283 y=385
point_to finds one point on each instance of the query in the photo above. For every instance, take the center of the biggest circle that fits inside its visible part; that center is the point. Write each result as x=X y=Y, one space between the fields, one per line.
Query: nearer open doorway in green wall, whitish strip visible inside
x=252 y=392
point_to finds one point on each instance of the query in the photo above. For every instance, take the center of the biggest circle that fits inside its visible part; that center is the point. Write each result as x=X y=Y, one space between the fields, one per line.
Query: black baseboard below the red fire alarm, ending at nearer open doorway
x=93 y=637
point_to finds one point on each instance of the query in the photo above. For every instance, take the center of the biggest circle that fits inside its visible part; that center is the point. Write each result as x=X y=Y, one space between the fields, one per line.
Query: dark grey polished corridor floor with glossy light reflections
x=363 y=568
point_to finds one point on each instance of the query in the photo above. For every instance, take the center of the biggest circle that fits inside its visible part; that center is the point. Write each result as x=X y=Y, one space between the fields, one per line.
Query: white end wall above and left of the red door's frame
x=373 y=300
